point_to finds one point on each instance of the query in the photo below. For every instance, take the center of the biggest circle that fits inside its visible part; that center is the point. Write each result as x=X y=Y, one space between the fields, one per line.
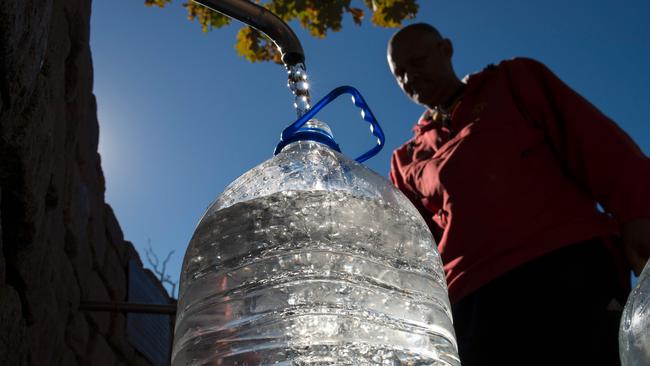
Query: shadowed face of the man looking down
x=420 y=67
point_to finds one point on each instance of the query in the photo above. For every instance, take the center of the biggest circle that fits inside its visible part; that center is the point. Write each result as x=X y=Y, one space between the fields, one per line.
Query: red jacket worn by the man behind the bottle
x=518 y=172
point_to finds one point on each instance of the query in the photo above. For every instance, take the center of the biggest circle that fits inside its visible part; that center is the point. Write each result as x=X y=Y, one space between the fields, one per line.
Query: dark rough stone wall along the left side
x=60 y=243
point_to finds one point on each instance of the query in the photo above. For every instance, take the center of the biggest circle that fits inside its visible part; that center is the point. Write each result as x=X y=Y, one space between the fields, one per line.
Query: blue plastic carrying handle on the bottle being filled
x=366 y=114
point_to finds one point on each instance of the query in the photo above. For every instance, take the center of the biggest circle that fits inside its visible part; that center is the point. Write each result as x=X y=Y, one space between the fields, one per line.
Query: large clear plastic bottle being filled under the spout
x=310 y=258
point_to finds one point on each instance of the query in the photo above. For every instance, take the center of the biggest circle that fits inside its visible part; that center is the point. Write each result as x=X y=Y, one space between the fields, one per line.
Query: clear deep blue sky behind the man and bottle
x=181 y=115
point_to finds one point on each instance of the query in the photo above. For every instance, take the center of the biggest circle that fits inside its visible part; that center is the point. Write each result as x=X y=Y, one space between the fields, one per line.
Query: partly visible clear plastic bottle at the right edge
x=634 y=335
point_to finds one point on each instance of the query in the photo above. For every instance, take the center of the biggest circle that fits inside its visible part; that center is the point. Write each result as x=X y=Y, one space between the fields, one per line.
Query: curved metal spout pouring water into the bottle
x=264 y=21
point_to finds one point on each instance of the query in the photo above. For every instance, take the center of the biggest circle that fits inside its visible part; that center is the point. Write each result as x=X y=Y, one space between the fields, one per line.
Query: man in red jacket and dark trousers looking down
x=508 y=169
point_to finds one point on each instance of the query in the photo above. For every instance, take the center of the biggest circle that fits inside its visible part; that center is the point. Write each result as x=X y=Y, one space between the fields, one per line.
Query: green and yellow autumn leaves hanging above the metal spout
x=316 y=16
